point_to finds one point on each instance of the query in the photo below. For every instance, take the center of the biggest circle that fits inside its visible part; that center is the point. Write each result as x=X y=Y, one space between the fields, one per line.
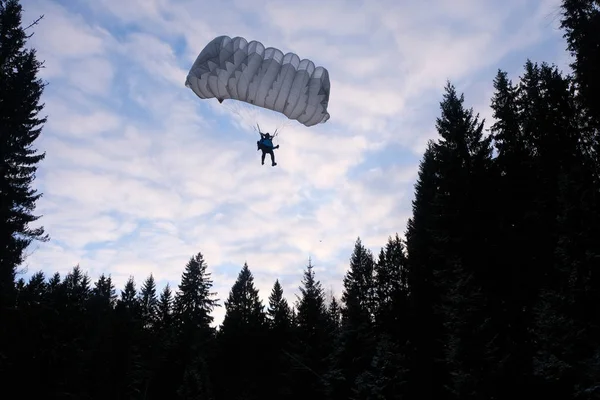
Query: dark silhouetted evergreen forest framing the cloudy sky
x=493 y=291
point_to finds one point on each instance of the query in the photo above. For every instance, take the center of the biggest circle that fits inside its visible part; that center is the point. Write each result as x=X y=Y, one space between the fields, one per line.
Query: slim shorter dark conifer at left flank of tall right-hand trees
x=428 y=374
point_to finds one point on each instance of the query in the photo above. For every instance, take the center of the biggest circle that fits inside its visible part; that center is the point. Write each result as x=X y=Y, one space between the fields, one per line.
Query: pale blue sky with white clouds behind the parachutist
x=140 y=174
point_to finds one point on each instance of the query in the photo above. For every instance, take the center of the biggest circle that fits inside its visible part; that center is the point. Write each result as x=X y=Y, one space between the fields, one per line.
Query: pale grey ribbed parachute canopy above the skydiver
x=233 y=68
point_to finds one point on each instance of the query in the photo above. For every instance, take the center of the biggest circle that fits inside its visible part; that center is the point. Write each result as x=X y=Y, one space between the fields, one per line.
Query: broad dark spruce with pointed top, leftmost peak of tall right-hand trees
x=448 y=241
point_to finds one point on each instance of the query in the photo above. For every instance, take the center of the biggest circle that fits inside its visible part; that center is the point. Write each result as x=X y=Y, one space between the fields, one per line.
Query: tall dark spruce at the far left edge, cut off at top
x=20 y=127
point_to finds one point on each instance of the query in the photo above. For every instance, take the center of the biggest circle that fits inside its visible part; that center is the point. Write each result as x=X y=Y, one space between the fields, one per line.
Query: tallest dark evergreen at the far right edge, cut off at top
x=566 y=320
